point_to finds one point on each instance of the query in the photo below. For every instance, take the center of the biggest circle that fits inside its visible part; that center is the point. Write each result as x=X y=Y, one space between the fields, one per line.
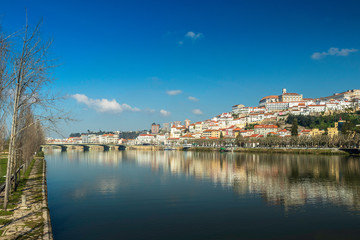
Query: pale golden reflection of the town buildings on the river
x=287 y=180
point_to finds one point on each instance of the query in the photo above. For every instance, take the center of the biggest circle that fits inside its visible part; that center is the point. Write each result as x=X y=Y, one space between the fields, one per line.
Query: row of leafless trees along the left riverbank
x=27 y=107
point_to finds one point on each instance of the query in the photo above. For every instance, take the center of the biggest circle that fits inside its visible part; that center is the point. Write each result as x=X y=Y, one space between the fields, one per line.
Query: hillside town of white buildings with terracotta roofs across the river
x=266 y=119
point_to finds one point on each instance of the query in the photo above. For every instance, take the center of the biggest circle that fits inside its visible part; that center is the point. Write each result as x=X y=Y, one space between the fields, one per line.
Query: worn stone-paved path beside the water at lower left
x=28 y=222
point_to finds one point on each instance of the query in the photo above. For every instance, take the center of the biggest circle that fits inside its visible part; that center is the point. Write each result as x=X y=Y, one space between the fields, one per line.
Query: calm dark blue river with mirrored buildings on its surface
x=202 y=195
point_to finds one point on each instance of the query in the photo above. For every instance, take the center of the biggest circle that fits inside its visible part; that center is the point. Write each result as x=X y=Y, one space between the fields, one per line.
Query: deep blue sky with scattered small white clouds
x=122 y=61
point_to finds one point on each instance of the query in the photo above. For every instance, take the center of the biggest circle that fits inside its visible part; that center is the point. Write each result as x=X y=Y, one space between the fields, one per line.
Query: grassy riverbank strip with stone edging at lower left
x=28 y=219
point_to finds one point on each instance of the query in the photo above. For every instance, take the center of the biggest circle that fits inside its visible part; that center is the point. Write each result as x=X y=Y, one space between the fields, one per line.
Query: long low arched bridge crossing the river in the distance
x=85 y=146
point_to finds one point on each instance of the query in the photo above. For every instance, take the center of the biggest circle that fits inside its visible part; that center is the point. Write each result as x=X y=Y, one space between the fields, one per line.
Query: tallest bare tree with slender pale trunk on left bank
x=29 y=80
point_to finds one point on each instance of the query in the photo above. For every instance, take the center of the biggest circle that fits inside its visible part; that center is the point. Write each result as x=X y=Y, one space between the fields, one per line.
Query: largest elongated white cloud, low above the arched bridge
x=103 y=105
